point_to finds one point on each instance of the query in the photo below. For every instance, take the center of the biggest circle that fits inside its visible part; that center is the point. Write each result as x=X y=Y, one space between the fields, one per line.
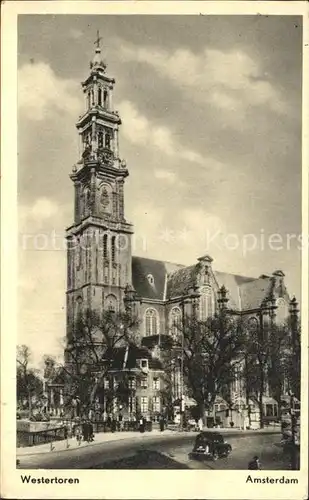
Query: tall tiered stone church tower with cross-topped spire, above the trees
x=99 y=241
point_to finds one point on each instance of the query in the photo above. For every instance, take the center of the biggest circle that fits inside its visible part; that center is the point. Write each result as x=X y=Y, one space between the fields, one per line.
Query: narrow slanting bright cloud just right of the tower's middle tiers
x=139 y=130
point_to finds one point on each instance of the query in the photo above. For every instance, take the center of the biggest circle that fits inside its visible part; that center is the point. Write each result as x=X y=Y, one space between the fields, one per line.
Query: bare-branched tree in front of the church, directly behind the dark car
x=211 y=351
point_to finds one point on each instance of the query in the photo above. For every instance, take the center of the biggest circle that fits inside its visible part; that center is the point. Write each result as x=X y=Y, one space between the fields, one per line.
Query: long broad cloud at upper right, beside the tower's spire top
x=231 y=81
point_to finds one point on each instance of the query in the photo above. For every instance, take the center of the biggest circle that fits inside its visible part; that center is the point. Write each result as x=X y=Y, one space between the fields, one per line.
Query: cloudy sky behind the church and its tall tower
x=211 y=133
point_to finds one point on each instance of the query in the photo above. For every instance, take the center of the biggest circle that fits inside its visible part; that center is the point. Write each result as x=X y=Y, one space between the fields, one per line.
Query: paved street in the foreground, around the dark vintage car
x=163 y=452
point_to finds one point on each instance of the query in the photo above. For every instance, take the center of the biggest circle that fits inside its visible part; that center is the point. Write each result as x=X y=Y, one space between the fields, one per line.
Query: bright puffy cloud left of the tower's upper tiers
x=41 y=91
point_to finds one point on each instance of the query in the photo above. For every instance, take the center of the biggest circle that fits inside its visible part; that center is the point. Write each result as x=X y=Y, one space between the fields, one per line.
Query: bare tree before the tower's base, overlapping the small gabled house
x=90 y=352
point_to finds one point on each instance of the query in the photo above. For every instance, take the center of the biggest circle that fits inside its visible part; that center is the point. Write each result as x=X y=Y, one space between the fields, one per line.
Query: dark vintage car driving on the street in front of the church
x=210 y=445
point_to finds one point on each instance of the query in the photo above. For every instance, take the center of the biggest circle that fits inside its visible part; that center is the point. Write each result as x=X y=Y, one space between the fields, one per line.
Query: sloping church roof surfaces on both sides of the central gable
x=172 y=280
